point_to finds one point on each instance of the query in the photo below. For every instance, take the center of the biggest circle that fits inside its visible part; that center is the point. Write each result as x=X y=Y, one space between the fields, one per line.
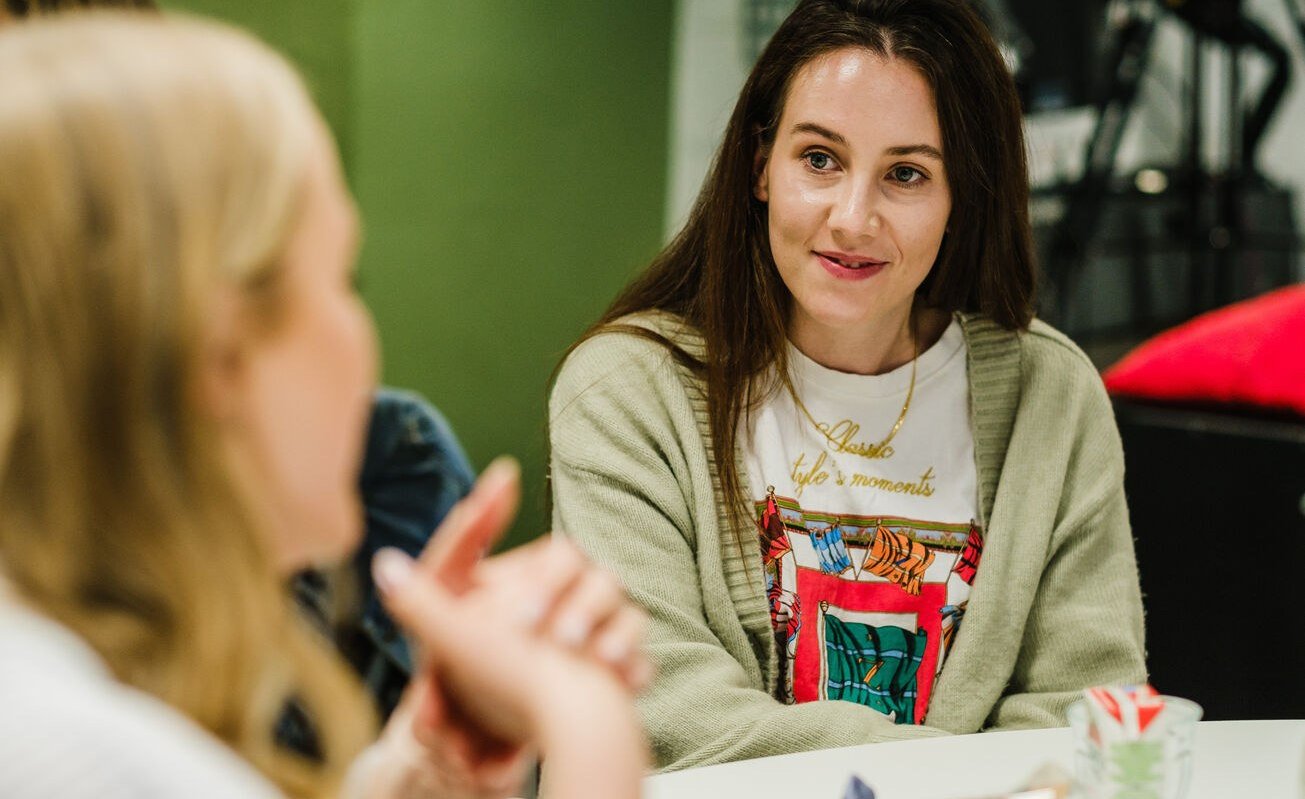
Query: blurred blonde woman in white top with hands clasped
x=185 y=381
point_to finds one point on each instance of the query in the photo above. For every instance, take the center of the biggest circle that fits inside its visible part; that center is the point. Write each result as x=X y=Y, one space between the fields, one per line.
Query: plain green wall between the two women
x=510 y=159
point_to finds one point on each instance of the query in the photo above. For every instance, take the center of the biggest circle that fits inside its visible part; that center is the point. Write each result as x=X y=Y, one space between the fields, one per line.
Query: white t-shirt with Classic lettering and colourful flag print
x=868 y=559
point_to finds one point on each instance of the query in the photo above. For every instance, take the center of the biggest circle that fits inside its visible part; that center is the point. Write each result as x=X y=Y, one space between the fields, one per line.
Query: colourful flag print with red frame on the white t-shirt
x=865 y=609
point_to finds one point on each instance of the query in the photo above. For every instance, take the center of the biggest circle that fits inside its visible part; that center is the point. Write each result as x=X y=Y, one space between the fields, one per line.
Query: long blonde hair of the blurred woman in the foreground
x=148 y=166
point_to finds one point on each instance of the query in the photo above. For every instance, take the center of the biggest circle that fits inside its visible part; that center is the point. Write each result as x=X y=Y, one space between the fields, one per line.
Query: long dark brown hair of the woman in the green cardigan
x=718 y=274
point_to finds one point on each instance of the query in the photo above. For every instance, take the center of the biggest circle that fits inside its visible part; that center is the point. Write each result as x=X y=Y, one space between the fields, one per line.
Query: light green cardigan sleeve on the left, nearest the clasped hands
x=626 y=454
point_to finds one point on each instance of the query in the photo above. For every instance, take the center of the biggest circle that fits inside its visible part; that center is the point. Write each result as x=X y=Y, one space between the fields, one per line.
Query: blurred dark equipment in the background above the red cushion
x=1128 y=253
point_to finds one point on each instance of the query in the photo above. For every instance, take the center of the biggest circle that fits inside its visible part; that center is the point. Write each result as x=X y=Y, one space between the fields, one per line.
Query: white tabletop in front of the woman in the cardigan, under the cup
x=1234 y=760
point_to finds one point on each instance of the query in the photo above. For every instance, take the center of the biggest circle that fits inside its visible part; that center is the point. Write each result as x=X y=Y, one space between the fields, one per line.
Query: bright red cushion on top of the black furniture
x=1252 y=353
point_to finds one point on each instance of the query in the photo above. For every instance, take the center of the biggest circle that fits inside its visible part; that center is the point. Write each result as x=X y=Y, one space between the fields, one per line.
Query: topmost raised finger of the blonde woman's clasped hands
x=473 y=527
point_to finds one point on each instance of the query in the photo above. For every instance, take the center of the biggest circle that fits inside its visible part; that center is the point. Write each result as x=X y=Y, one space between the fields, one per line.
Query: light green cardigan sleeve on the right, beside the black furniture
x=1085 y=625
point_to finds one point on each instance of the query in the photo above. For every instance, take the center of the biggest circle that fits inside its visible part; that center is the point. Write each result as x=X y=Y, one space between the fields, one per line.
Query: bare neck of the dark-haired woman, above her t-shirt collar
x=872 y=349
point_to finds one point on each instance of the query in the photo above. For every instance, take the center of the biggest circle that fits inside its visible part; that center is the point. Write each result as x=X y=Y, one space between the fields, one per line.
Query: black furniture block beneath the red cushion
x=1218 y=507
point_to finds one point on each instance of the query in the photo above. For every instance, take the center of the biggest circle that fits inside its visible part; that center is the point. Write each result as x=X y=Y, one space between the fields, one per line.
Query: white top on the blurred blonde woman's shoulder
x=69 y=730
